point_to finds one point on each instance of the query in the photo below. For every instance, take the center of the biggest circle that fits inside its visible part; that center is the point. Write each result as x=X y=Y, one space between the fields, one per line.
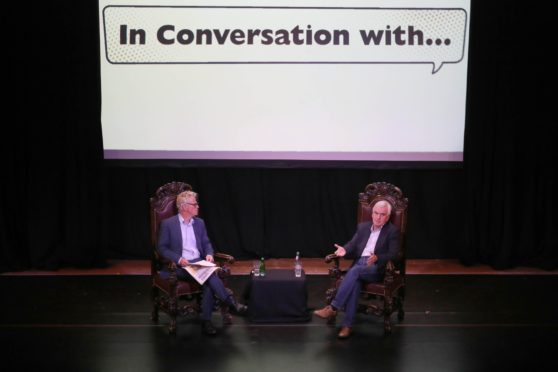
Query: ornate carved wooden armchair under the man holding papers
x=170 y=295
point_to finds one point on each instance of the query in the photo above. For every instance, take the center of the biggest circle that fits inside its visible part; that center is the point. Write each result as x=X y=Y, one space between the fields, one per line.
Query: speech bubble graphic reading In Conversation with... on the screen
x=313 y=35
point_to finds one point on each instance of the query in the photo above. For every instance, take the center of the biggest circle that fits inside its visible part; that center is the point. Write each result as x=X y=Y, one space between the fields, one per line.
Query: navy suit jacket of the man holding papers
x=169 y=243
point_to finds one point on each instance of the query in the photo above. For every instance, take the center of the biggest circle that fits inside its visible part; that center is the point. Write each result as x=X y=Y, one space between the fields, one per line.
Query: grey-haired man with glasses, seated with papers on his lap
x=183 y=239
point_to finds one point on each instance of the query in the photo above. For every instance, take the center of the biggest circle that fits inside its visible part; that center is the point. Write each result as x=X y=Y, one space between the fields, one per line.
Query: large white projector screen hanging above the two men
x=335 y=80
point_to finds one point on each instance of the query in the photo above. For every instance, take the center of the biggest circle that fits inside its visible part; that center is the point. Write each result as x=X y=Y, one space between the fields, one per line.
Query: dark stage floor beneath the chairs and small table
x=452 y=323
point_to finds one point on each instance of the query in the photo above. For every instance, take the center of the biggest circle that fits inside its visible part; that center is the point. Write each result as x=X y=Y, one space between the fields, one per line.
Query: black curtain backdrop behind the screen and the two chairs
x=62 y=205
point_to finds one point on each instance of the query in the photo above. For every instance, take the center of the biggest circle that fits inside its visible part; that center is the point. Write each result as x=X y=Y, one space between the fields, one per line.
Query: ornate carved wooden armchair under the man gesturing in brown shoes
x=383 y=298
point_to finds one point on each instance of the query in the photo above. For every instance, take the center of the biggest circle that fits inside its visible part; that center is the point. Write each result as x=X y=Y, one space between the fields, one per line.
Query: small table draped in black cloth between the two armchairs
x=278 y=297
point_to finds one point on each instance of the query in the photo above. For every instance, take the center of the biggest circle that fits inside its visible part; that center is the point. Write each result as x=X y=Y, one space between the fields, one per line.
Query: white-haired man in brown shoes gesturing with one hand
x=373 y=245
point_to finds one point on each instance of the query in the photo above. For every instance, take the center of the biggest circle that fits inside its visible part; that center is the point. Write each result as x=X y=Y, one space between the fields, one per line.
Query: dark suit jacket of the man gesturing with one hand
x=387 y=246
